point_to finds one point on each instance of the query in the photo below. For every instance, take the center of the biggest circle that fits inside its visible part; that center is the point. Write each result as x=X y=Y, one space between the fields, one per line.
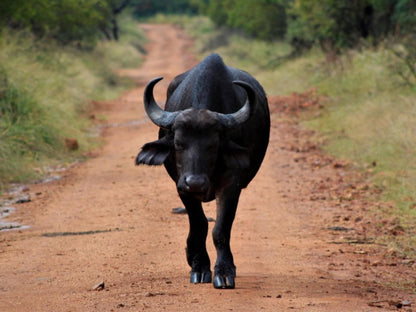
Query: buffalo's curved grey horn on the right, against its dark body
x=242 y=115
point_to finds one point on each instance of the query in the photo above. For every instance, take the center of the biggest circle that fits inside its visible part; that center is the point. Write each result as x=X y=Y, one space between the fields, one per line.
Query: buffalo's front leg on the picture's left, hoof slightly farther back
x=196 y=252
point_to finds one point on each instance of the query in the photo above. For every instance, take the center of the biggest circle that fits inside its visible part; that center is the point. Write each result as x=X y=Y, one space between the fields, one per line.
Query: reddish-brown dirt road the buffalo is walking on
x=295 y=246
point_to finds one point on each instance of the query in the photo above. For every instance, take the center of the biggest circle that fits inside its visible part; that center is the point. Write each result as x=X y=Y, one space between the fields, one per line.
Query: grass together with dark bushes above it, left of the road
x=48 y=76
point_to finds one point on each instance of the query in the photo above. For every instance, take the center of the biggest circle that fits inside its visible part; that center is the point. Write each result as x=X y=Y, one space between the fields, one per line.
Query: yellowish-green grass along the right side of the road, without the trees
x=370 y=116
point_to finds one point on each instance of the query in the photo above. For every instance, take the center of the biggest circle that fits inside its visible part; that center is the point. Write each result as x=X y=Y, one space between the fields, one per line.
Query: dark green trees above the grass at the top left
x=66 y=21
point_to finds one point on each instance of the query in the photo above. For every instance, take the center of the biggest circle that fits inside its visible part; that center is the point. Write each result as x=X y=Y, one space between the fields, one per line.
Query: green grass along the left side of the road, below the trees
x=45 y=91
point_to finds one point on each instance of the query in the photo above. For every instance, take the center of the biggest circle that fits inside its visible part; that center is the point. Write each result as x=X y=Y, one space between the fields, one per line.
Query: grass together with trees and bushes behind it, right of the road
x=363 y=64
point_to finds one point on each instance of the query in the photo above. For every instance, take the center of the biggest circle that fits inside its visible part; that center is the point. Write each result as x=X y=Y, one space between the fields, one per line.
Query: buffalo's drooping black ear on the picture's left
x=155 y=153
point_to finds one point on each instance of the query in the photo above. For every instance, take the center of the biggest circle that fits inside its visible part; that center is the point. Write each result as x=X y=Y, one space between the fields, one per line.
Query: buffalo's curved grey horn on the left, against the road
x=159 y=116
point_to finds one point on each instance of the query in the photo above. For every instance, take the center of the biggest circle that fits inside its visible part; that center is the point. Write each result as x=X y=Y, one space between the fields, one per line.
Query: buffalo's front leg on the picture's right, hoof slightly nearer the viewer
x=225 y=269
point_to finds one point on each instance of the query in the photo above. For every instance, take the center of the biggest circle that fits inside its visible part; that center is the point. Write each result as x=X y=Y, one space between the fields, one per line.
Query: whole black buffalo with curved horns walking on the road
x=213 y=135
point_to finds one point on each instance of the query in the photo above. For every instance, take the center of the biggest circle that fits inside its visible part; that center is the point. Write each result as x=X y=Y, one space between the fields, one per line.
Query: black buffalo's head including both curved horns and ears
x=198 y=139
